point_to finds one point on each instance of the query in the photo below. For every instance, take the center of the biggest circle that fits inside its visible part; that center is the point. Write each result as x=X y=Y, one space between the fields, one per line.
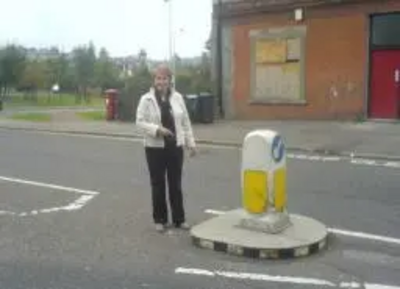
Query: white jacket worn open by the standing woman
x=148 y=120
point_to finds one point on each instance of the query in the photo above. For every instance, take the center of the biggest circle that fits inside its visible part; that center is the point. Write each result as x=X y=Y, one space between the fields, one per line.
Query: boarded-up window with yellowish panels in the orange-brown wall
x=277 y=68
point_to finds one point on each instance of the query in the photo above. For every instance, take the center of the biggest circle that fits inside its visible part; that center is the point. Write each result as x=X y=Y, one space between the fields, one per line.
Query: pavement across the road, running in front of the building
x=376 y=140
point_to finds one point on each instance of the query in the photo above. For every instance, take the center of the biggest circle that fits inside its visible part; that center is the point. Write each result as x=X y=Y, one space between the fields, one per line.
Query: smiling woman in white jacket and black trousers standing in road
x=163 y=119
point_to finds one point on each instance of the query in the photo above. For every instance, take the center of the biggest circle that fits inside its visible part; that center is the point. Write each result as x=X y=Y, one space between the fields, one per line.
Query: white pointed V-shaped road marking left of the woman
x=79 y=203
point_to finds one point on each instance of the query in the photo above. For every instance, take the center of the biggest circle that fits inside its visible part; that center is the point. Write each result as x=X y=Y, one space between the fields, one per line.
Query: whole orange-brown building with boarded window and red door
x=307 y=59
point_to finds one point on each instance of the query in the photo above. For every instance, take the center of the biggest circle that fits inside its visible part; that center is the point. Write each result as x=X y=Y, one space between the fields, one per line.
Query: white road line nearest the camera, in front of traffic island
x=279 y=279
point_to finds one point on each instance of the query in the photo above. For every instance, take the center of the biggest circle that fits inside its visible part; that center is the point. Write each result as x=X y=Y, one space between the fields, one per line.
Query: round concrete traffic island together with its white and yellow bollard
x=263 y=228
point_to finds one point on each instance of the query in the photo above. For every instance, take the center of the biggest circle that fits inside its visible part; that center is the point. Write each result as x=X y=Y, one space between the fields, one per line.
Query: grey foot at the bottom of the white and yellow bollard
x=270 y=223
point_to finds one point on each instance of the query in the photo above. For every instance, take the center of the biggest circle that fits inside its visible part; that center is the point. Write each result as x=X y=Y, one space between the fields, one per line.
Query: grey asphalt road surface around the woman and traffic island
x=109 y=242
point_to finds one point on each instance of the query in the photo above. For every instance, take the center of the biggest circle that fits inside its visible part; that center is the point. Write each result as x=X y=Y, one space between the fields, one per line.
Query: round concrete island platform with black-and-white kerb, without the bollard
x=304 y=237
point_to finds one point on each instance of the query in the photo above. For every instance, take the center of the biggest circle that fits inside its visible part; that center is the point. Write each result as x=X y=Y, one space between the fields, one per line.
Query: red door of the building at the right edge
x=384 y=96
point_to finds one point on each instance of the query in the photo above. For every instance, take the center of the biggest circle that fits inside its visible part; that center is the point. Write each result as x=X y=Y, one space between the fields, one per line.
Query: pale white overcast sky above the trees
x=123 y=27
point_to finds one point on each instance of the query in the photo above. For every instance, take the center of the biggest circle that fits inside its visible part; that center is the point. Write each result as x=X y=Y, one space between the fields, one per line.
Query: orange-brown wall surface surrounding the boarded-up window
x=336 y=63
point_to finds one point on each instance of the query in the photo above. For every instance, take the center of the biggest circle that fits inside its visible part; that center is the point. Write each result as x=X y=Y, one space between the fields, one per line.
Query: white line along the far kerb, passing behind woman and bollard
x=353 y=160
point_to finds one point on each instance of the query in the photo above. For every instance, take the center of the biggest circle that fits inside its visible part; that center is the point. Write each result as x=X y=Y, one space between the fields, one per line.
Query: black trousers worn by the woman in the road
x=165 y=164
